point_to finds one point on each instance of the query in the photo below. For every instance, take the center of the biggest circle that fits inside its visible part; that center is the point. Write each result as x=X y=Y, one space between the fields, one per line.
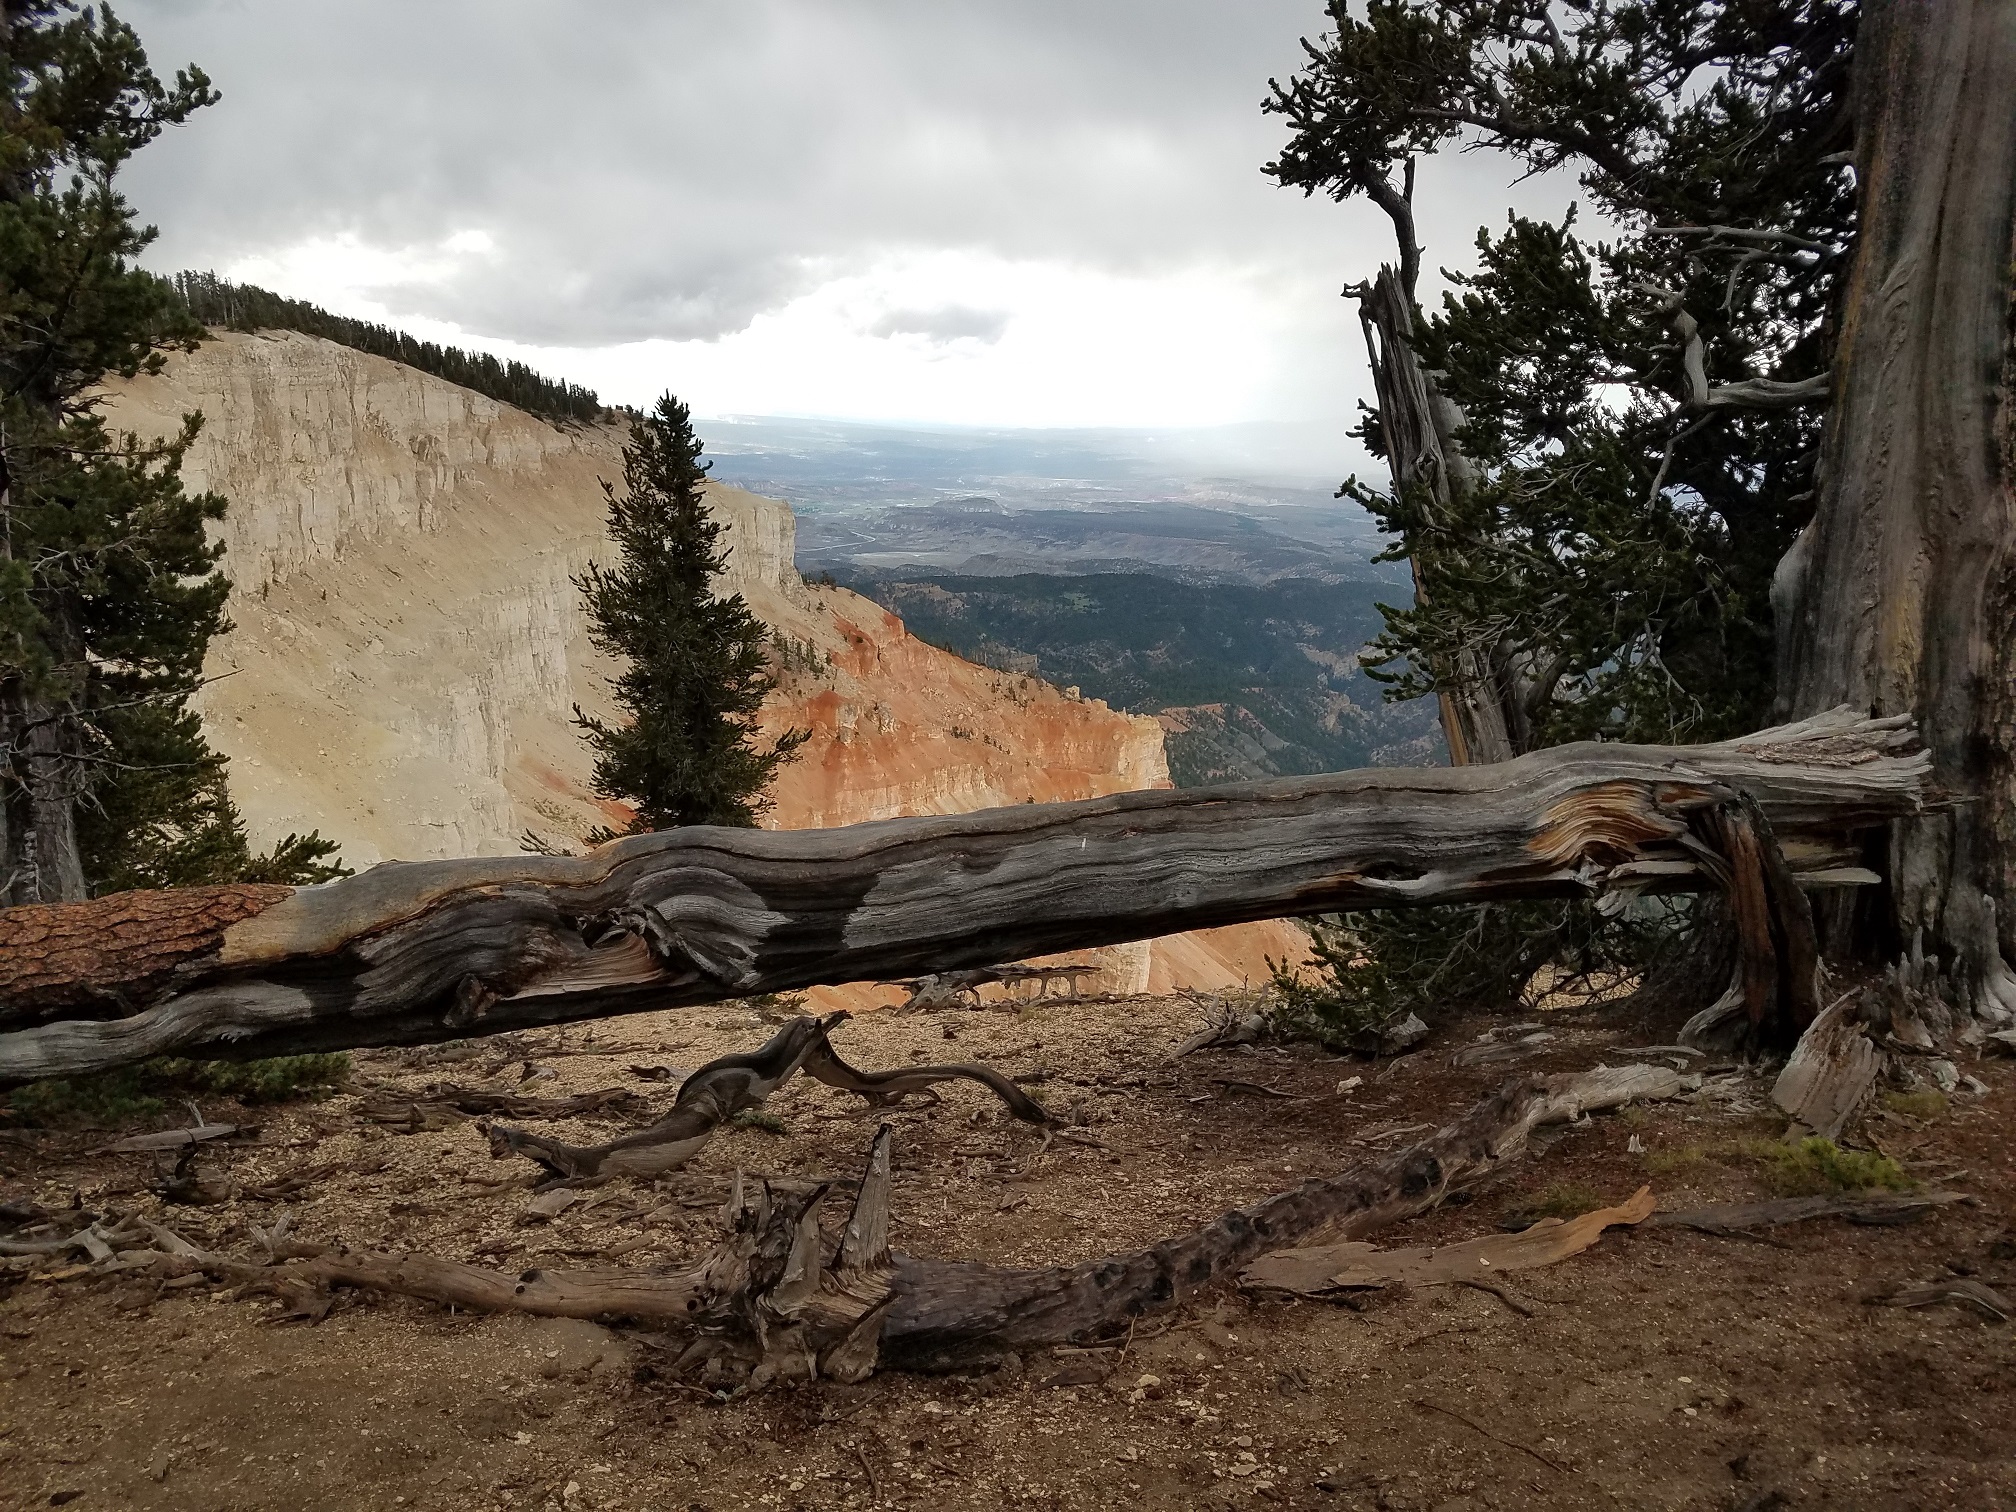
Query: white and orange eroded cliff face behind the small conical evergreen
x=408 y=646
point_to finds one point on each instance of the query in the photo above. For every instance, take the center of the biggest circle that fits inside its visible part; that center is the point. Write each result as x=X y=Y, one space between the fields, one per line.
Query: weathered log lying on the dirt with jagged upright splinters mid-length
x=779 y=1299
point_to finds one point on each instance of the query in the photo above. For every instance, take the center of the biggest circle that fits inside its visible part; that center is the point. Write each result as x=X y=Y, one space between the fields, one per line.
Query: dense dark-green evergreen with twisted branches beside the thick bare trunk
x=1638 y=418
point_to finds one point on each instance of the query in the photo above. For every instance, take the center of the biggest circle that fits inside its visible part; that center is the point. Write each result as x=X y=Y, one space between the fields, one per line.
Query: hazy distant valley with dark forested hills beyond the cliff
x=1215 y=594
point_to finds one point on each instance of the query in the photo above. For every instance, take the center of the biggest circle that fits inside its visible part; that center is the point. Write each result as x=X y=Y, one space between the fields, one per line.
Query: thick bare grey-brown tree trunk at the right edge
x=1902 y=594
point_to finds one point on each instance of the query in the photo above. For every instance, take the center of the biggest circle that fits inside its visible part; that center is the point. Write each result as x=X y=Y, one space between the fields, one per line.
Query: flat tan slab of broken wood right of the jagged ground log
x=1348 y=1267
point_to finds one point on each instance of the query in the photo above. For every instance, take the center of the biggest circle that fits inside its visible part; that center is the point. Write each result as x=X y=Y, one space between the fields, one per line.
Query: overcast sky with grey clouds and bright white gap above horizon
x=1021 y=213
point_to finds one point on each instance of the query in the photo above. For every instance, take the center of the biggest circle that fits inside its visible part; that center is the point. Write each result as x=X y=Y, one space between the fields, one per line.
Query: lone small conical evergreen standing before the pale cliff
x=697 y=666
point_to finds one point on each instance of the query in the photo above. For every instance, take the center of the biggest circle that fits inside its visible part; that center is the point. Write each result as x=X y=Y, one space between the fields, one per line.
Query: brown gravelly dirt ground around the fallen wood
x=1660 y=1370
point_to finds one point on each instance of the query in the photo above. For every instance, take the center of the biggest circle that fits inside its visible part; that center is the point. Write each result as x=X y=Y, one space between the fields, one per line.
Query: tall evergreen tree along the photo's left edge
x=110 y=592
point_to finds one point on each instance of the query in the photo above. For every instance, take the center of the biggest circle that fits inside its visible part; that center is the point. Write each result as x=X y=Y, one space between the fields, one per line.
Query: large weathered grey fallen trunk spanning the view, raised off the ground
x=416 y=953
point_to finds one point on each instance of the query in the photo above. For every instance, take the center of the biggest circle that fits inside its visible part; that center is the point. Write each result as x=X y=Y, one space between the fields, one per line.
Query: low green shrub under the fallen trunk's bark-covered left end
x=146 y=1092
